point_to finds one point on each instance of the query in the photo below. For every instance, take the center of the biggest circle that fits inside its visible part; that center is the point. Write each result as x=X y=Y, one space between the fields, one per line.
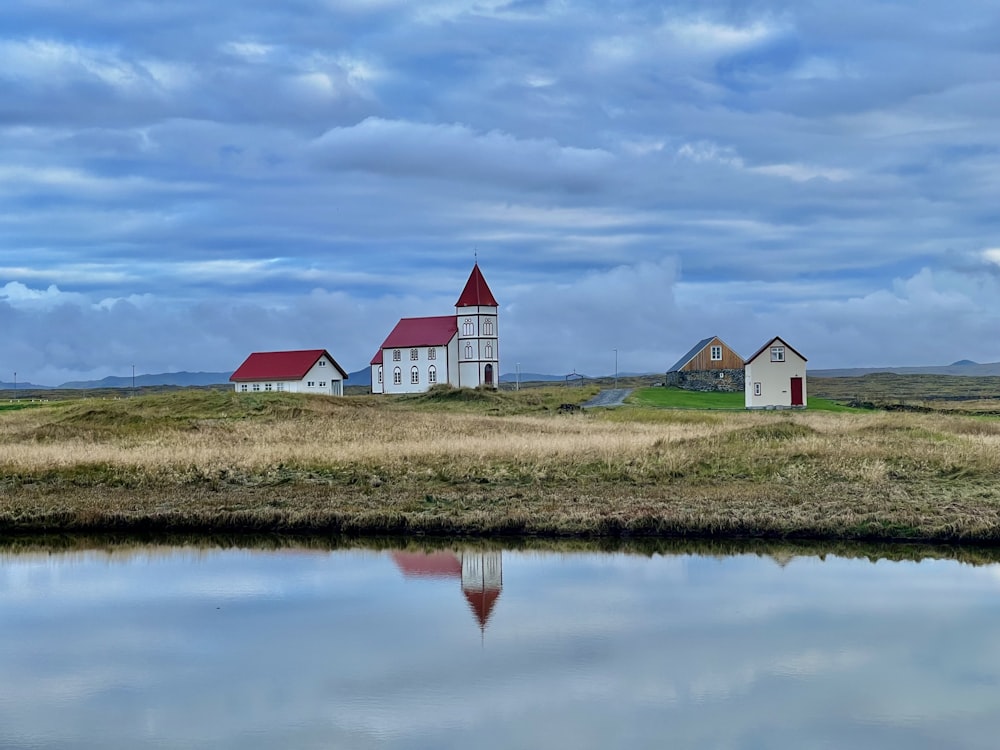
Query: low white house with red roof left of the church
x=304 y=371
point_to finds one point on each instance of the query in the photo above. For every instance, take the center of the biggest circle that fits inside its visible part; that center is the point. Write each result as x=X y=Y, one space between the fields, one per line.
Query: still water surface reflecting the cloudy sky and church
x=173 y=647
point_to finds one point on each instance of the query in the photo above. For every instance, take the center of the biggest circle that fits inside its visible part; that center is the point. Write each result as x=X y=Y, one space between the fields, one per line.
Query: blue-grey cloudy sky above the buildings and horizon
x=183 y=183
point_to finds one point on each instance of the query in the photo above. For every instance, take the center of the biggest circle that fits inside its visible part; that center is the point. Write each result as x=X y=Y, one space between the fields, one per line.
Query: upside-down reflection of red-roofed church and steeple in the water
x=481 y=574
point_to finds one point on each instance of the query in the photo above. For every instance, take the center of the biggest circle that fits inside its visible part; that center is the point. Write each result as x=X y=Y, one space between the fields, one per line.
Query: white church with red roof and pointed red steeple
x=460 y=349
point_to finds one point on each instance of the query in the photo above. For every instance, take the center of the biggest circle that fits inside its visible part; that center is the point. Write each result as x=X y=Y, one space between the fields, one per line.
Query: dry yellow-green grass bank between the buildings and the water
x=490 y=464
